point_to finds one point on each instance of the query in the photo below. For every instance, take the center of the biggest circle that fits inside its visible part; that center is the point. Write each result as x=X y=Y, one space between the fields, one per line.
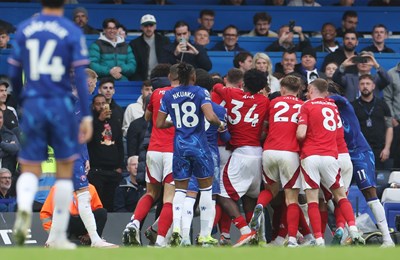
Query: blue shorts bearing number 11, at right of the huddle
x=364 y=169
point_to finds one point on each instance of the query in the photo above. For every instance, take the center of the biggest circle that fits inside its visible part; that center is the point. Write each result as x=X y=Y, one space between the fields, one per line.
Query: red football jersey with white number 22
x=283 y=118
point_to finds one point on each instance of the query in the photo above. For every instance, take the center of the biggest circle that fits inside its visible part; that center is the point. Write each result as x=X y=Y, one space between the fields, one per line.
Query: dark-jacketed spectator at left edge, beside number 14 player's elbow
x=10 y=114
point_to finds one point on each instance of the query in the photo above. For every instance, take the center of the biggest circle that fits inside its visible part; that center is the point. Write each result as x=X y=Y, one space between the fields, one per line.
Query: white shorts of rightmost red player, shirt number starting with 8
x=322 y=170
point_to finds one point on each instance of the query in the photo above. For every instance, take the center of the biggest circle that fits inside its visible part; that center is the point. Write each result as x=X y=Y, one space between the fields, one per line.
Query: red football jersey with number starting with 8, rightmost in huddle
x=321 y=117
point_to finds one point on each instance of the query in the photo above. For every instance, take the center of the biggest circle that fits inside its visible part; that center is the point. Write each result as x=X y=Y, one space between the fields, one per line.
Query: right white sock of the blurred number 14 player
x=62 y=200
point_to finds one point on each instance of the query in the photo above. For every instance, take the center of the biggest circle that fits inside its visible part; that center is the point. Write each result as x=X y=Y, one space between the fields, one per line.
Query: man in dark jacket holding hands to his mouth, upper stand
x=182 y=50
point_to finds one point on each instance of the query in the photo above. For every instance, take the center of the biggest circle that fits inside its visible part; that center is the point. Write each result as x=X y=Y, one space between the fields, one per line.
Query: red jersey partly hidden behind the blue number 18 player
x=161 y=140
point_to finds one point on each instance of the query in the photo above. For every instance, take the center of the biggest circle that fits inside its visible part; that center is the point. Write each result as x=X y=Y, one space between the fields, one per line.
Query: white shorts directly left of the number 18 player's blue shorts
x=159 y=167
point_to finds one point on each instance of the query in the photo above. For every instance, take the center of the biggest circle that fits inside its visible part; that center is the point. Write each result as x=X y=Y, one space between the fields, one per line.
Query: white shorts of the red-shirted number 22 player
x=283 y=166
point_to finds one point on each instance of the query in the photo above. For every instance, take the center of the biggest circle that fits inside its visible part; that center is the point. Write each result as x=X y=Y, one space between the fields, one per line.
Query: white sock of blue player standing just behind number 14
x=86 y=214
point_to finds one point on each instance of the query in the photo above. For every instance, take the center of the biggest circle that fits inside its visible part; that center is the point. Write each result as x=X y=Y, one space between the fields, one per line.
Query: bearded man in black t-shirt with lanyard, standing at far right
x=375 y=121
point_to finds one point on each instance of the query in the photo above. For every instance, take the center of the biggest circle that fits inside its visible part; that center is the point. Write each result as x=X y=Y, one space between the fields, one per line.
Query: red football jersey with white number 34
x=246 y=115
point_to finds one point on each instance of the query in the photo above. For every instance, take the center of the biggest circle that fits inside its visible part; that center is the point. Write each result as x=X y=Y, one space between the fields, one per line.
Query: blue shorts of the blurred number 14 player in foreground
x=48 y=121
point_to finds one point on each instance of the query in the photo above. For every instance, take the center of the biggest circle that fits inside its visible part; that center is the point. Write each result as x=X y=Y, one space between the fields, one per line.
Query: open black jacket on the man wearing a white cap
x=141 y=50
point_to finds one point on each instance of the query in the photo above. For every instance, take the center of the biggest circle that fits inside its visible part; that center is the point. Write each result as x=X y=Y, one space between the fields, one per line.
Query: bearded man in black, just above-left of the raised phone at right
x=350 y=42
